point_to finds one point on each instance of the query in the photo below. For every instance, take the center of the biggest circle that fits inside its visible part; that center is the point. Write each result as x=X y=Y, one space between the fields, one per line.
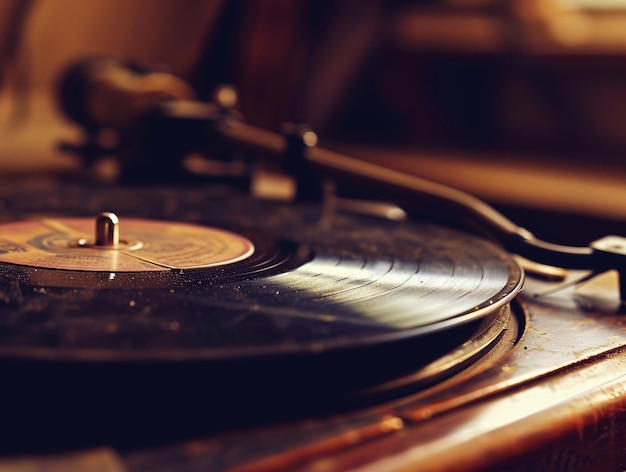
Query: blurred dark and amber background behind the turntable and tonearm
x=520 y=102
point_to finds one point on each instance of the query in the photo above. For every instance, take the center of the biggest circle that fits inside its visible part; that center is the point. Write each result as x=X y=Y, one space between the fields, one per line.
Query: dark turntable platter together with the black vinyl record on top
x=311 y=306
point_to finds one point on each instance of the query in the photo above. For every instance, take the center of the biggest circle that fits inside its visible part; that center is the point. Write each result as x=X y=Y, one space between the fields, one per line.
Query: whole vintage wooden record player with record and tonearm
x=185 y=325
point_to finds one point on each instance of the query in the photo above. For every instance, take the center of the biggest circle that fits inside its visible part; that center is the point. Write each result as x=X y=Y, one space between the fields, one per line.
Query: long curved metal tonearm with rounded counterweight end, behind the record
x=158 y=120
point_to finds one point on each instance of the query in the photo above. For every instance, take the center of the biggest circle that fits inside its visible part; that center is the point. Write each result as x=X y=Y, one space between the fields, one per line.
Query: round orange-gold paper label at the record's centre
x=145 y=245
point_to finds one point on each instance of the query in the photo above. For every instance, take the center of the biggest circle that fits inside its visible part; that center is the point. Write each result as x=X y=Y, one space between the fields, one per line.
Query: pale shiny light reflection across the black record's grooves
x=396 y=293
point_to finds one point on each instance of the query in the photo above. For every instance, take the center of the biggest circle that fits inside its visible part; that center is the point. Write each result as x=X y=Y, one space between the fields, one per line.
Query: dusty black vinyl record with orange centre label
x=203 y=293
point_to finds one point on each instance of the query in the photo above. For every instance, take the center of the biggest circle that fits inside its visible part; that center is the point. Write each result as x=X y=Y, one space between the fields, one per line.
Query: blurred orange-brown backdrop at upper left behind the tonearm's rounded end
x=58 y=32
